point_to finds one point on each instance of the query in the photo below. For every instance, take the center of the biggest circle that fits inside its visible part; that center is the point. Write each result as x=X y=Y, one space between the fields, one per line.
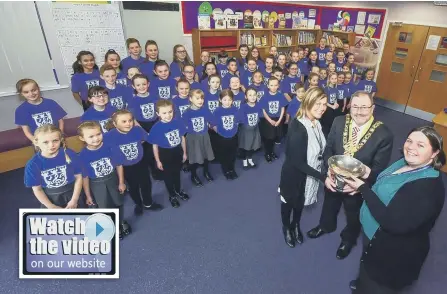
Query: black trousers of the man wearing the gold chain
x=331 y=206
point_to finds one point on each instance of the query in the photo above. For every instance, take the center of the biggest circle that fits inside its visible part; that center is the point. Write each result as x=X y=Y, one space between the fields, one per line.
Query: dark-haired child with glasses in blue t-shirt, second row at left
x=100 y=110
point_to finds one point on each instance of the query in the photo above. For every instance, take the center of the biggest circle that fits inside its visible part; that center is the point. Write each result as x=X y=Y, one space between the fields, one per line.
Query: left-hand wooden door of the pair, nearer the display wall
x=402 y=52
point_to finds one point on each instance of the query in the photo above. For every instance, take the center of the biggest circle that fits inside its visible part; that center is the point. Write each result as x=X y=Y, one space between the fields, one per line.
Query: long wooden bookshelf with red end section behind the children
x=287 y=40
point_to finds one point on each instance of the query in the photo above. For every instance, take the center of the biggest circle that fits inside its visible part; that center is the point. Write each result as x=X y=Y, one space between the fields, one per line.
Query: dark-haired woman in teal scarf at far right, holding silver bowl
x=398 y=213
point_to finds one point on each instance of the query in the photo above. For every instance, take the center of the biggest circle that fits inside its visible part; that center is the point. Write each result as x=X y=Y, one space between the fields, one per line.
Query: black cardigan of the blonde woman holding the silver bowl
x=295 y=168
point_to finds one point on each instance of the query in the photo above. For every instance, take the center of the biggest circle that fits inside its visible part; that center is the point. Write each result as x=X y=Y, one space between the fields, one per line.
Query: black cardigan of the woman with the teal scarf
x=395 y=255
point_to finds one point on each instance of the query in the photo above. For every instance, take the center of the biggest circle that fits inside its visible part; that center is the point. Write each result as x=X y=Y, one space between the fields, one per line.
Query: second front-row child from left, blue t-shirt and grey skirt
x=103 y=173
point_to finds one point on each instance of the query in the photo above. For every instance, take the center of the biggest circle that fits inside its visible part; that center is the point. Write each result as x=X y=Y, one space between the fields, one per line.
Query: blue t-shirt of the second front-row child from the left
x=98 y=163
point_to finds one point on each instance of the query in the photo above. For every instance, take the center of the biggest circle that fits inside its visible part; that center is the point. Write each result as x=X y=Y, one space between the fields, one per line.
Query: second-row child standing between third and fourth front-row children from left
x=142 y=106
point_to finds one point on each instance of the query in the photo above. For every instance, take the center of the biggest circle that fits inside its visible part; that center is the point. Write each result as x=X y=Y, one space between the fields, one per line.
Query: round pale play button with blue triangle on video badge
x=99 y=227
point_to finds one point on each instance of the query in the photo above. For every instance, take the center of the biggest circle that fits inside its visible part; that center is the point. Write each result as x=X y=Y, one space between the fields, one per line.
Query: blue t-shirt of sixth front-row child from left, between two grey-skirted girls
x=225 y=119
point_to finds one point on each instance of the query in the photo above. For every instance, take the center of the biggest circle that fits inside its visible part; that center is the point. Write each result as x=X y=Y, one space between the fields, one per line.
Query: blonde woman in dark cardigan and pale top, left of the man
x=302 y=165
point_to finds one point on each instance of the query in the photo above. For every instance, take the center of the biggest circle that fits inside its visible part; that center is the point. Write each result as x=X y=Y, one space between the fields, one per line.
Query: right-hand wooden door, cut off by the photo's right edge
x=429 y=92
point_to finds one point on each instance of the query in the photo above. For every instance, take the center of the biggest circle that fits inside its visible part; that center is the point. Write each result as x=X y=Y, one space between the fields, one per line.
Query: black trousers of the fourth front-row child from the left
x=171 y=159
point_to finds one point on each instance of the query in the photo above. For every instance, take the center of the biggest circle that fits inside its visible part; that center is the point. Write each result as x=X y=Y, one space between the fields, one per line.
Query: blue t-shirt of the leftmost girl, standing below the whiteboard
x=48 y=112
